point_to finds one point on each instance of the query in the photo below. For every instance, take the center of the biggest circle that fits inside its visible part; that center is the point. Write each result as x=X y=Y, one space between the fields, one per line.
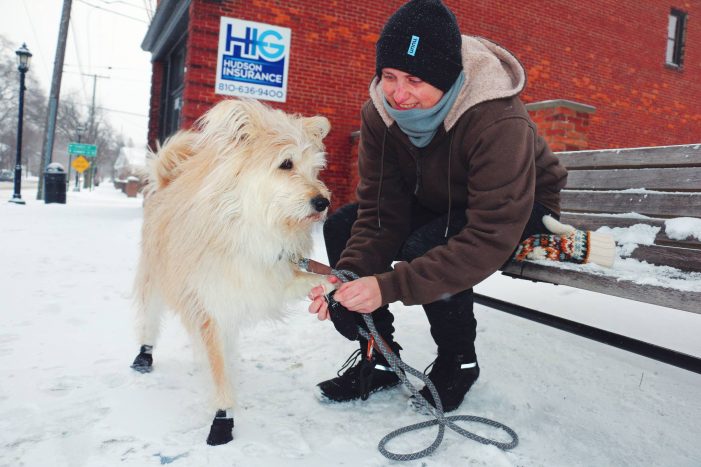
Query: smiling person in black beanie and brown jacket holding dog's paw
x=452 y=176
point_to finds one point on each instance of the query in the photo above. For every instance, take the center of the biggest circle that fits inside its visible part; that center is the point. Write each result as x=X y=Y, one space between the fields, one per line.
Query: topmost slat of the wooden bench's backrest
x=668 y=156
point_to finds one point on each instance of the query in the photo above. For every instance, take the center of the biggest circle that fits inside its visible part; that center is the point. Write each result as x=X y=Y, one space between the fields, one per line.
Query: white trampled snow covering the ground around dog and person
x=69 y=398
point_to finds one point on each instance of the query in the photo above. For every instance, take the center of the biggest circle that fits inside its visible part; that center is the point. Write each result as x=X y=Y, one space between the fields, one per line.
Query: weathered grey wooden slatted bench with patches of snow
x=615 y=188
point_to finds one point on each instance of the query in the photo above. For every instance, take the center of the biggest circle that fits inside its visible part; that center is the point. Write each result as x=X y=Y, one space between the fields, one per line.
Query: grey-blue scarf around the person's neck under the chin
x=420 y=125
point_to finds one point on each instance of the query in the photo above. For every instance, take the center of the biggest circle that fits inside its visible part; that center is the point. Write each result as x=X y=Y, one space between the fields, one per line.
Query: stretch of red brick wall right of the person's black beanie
x=607 y=54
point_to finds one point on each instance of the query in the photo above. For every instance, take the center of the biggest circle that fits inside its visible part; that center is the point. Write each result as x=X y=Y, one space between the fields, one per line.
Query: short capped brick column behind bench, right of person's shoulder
x=562 y=123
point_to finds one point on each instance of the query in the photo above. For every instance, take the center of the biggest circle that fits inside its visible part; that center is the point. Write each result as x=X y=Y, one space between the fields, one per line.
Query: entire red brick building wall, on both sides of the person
x=604 y=53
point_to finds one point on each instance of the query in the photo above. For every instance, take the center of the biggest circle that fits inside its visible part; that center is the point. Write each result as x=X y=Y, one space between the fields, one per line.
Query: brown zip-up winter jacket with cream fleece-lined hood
x=486 y=158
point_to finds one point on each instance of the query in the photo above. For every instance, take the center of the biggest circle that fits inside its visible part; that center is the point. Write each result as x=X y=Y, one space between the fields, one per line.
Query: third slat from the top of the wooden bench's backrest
x=663 y=205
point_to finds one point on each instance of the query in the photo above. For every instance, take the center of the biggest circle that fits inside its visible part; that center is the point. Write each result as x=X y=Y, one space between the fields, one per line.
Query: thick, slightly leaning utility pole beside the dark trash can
x=50 y=128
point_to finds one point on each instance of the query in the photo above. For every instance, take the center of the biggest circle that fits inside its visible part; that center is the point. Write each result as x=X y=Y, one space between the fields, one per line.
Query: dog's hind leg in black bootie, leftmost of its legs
x=149 y=312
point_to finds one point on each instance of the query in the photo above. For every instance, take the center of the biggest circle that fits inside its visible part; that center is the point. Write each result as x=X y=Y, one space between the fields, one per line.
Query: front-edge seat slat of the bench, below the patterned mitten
x=680 y=300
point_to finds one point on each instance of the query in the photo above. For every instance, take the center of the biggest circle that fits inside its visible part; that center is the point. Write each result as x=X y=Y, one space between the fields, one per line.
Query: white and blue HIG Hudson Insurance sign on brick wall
x=253 y=59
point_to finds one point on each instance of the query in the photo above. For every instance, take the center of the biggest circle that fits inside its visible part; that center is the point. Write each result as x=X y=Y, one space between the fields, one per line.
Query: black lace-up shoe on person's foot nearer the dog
x=360 y=380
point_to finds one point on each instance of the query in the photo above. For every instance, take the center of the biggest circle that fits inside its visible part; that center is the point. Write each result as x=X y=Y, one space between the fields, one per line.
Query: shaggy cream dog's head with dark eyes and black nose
x=271 y=162
